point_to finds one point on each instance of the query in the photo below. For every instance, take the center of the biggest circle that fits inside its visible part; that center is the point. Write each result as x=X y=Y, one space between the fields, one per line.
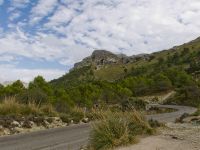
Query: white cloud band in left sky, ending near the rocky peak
x=45 y=46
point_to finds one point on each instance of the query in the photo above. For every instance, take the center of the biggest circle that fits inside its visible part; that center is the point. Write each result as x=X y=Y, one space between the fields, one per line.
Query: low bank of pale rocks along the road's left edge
x=15 y=125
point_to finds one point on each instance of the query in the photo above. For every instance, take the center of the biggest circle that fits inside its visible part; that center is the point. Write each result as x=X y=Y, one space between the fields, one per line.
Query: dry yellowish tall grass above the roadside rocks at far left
x=9 y=106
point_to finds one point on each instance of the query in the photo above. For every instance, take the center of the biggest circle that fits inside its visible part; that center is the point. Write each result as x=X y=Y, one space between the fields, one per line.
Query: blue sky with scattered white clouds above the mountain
x=46 y=37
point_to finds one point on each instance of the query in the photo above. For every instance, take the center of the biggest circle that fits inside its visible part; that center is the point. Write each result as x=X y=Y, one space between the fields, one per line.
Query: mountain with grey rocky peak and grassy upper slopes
x=105 y=65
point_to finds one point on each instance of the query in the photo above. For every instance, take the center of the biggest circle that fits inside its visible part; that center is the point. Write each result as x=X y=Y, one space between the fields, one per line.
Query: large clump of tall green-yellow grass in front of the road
x=118 y=129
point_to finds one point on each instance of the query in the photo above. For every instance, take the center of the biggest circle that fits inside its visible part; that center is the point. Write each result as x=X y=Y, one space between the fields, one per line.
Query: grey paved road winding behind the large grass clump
x=71 y=138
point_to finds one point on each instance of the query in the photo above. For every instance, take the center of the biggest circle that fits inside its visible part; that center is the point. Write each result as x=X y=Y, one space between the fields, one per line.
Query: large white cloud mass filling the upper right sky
x=134 y=26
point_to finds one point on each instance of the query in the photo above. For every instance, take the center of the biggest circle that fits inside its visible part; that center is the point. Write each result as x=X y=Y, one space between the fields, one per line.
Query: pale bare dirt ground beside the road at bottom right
x=173 y=137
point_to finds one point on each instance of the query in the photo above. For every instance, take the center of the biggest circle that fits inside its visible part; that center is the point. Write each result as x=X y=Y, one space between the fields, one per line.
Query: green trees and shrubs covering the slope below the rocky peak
x=117 y=85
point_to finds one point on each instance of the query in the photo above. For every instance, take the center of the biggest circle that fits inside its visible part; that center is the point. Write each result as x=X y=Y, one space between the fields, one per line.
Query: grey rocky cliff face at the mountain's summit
x=101 y=58
